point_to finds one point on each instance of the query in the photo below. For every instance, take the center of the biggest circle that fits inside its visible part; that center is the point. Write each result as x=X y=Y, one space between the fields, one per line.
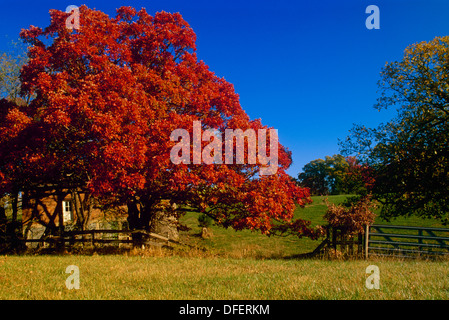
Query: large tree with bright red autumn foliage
x=106 y=98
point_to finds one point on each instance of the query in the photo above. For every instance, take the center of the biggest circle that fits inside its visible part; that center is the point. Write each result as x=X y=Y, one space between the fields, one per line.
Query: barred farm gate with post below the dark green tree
x=406 y=241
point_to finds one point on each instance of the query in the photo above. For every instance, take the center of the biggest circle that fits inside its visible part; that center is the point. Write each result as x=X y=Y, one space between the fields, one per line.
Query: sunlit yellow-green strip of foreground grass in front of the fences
x=172 y=277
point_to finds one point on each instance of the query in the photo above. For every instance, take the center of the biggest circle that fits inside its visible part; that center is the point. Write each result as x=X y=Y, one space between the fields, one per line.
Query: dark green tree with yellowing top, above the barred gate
x=410 y=153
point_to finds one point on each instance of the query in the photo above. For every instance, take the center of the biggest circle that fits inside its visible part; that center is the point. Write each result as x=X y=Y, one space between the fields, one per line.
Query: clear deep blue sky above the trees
x=307 y=68
